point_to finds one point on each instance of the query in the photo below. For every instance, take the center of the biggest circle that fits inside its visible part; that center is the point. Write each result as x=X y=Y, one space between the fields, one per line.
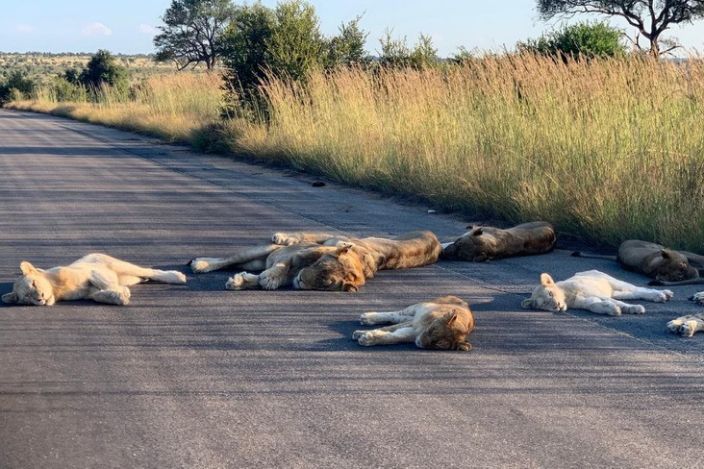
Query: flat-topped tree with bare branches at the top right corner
x=650 y=17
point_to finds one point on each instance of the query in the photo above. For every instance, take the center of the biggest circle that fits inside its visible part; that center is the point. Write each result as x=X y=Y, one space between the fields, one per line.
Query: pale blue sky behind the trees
x=128 y=26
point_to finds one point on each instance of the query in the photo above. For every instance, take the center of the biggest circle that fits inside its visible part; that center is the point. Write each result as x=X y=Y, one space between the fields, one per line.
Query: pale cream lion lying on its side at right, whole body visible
x=594 y=291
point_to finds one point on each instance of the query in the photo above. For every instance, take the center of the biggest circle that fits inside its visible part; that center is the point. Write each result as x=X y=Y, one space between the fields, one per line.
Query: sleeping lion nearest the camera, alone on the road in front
x=440 y=324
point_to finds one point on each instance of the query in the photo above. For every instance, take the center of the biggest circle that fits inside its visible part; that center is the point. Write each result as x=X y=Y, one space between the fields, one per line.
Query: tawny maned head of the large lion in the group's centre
x=341 y=271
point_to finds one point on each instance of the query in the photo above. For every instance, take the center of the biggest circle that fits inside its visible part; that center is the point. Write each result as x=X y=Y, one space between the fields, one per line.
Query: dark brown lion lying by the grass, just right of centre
x=485 y=242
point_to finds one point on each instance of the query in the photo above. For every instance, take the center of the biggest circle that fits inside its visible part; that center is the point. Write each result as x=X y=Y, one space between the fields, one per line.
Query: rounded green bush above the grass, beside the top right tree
x=582 y=40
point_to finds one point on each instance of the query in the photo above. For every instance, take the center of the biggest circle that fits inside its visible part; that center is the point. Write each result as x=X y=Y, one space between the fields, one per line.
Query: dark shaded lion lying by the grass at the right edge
x=666 y=266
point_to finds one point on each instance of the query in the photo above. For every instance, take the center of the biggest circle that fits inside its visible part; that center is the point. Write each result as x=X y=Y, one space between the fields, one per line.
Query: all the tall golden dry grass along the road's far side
x=607 y=150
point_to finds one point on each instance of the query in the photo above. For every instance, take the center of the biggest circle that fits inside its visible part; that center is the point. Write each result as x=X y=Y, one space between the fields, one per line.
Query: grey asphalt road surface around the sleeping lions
x=195 y=376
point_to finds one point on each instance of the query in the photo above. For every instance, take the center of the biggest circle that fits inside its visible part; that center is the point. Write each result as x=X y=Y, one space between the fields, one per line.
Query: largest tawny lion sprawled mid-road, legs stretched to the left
x=323 y=261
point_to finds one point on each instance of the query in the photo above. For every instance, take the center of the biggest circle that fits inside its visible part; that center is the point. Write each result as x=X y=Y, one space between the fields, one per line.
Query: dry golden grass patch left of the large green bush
x=174 y=107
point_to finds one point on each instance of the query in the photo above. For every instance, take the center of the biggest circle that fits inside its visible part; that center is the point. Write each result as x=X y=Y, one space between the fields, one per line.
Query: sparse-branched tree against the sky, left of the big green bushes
x=192 y=32
